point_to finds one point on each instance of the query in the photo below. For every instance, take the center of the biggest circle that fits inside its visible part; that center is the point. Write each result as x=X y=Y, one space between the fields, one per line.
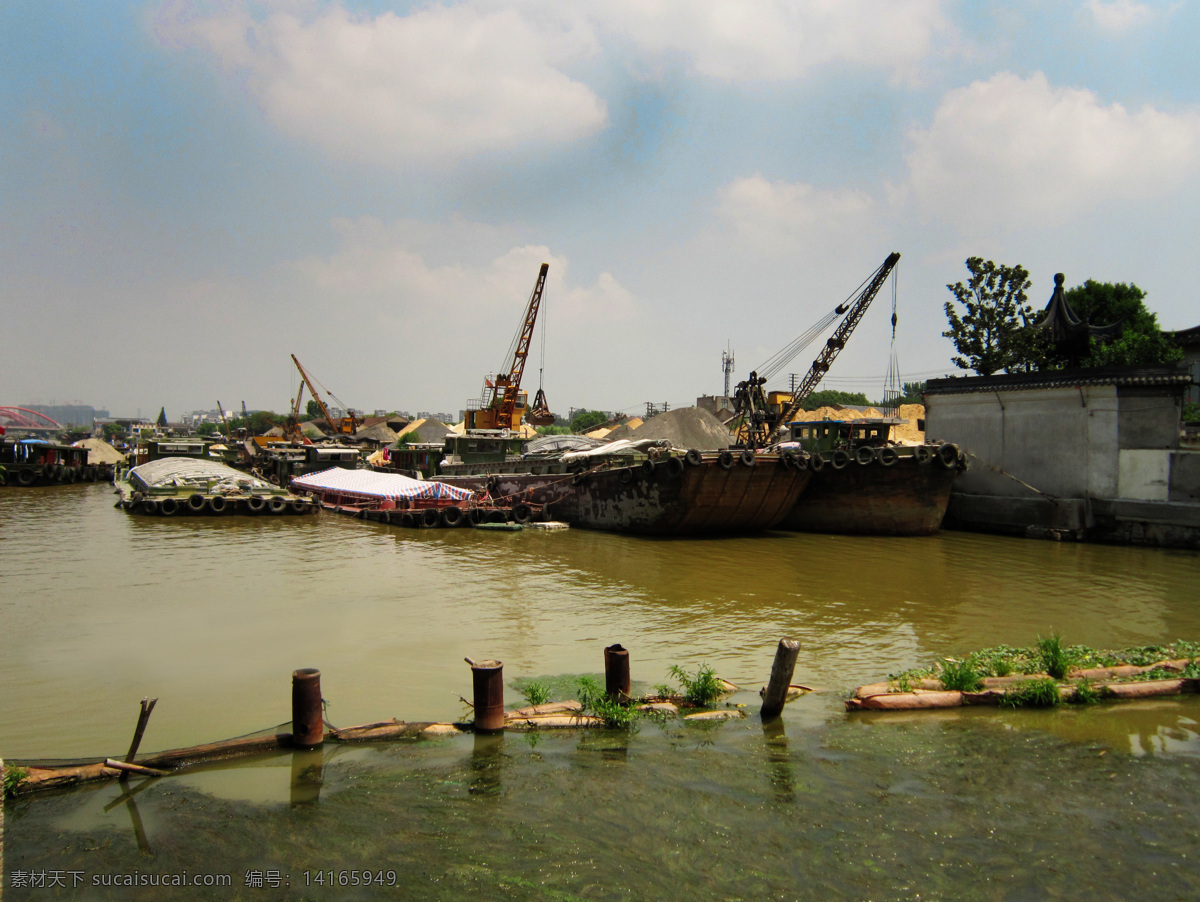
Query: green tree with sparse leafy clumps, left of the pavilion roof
x=991 y=332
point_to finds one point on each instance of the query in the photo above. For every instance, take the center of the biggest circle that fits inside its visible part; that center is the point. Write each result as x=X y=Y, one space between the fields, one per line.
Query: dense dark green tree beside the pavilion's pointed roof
x=1141 y=341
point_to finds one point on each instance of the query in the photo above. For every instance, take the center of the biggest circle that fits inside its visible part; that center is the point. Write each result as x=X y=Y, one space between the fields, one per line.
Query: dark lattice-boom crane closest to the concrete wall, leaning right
x=760 y=428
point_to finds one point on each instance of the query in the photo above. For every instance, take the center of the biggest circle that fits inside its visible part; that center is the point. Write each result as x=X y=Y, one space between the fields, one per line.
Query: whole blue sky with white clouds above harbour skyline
x=193 y=191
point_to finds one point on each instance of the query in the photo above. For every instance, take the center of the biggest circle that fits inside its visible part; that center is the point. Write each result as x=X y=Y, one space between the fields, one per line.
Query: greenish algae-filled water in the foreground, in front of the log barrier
x=963 y=807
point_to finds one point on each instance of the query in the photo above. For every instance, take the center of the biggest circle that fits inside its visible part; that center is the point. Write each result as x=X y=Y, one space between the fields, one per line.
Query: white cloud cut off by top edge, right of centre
x=775 y=40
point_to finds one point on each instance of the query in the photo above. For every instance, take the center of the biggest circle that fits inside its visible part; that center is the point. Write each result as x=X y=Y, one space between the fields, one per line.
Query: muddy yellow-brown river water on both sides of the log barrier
x=211 y=617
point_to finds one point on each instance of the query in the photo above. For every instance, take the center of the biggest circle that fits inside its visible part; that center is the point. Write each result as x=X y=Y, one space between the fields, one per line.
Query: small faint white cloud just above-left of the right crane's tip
x=789 y=218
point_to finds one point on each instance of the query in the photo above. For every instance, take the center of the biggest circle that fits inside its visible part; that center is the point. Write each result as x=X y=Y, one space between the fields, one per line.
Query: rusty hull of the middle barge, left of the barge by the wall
x=722 y=494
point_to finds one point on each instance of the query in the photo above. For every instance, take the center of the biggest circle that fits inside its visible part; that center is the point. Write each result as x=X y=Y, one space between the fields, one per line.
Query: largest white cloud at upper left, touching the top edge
x=436 y=86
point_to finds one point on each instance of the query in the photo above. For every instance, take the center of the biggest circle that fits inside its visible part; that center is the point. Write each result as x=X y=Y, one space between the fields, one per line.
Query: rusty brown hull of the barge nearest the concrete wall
x=905 y=500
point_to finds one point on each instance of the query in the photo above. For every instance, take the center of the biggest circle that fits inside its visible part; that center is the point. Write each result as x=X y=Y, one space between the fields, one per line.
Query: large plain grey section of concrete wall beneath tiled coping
x=1063 y=441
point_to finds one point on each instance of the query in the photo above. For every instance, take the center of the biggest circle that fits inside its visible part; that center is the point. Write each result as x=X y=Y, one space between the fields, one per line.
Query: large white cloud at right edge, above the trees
x=1016 y=152
